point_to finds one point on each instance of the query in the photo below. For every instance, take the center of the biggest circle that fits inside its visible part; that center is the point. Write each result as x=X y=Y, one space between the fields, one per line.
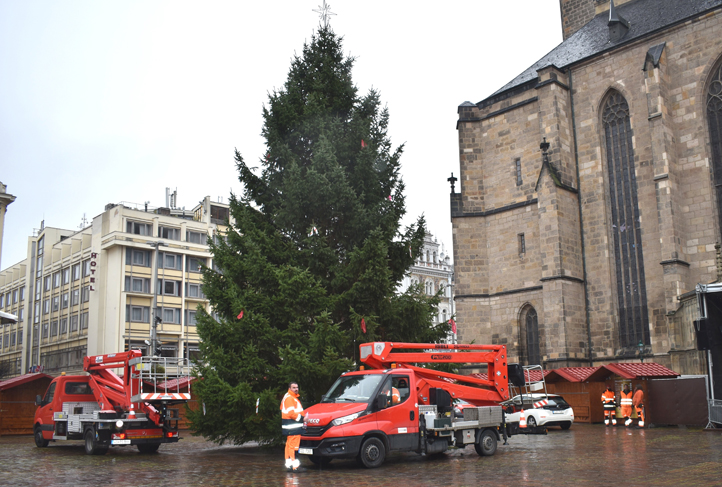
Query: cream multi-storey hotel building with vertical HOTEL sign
x=92 y=291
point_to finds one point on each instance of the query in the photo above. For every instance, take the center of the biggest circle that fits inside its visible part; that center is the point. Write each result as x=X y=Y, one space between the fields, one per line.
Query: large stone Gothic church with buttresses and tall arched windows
x=591 y=190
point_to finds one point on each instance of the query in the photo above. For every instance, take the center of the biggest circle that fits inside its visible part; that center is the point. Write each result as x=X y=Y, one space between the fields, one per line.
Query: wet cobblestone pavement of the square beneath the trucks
x=586 y=455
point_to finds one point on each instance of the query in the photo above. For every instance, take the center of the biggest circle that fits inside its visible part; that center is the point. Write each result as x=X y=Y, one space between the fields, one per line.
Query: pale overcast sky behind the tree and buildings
x=109 y=101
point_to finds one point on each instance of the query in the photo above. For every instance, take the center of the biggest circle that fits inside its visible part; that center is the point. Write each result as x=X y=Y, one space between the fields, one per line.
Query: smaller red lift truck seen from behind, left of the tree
x=106 y=409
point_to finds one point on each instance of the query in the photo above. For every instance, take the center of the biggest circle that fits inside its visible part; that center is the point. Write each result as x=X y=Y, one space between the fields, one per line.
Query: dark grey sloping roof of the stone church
x=644 y=17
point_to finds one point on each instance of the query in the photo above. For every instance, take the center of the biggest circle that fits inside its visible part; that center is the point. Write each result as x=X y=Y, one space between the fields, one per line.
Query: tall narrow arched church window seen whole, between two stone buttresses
x=626 y=226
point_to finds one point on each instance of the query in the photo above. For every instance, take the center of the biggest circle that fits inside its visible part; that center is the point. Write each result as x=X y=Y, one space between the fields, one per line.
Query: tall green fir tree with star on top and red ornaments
x=315 y=254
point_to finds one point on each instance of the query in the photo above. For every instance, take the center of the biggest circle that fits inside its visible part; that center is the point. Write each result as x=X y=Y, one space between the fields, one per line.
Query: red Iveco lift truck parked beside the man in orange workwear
x=403 y=407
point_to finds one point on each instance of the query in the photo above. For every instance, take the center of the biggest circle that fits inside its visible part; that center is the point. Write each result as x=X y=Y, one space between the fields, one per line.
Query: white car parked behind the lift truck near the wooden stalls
x=540 y=410
